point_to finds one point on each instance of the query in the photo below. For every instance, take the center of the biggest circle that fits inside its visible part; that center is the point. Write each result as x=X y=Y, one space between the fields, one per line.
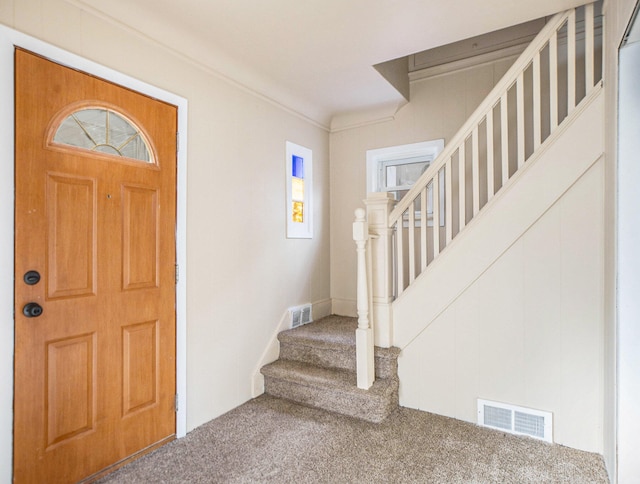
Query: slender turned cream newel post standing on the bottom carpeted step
x=364 y=333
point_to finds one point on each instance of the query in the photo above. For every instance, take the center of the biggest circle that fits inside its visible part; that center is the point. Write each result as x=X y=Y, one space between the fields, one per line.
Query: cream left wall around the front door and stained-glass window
x=242 y=271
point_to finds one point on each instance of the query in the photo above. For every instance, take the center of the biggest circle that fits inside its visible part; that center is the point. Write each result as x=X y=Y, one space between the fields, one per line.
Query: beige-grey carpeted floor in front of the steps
x=268 y=440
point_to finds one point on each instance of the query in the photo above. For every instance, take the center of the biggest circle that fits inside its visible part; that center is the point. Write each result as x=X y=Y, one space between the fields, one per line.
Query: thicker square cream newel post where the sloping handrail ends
x=379 y=206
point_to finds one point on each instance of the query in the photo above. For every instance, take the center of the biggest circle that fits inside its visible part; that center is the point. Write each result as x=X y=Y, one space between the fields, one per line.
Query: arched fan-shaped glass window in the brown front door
x=105 y=131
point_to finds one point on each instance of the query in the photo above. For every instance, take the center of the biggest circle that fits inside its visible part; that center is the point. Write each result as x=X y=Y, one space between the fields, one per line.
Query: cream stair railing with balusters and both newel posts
x=558 y=70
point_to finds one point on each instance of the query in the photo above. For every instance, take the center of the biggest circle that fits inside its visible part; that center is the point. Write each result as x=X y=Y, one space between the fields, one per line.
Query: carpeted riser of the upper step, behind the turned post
x=332 y=358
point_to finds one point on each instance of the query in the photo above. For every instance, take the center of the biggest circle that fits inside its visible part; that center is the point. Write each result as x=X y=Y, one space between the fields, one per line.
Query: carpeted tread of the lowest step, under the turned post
x=311 y=375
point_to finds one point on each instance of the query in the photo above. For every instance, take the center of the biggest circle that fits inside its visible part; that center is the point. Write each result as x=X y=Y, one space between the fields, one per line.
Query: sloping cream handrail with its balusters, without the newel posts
x=558 y=69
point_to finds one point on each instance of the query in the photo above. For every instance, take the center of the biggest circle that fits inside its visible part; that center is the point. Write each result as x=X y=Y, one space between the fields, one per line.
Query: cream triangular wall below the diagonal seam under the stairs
x=527 y=332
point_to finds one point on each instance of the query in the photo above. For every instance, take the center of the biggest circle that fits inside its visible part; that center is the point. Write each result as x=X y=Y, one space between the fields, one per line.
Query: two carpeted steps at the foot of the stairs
x=317 y=368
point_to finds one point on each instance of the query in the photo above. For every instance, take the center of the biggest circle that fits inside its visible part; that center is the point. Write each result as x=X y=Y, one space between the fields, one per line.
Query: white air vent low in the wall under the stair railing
x=516 y=420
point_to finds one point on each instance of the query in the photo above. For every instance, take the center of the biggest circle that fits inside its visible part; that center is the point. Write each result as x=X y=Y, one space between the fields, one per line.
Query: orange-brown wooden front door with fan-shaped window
x=95 y=216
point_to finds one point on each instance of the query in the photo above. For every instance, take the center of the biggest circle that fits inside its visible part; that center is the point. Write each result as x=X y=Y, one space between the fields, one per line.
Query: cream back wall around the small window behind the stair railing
x=438 y=107
